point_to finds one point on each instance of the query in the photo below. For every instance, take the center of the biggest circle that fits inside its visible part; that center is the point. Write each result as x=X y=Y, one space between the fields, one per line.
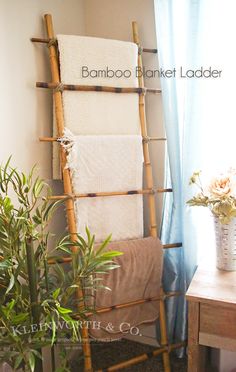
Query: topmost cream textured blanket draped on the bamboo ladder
x=99 y=112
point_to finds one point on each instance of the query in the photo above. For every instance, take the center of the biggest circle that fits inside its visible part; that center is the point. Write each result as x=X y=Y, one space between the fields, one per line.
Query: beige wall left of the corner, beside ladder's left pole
x=25 y=113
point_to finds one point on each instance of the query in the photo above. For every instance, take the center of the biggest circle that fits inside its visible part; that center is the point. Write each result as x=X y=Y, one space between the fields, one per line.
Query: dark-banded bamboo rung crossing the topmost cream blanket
x=95 y=88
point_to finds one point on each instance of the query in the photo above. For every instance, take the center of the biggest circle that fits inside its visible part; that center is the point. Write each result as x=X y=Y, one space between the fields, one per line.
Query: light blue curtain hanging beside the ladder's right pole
x=177 y=31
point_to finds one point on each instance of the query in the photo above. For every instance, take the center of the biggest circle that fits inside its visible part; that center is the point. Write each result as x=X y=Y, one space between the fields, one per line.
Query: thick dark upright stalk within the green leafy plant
x=35 y=310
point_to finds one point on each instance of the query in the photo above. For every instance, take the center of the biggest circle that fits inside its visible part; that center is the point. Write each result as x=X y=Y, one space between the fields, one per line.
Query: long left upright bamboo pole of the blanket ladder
x=65 y=171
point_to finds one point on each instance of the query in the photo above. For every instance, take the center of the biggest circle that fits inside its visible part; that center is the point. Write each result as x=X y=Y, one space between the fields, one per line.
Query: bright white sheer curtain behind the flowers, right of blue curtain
x=214 y=105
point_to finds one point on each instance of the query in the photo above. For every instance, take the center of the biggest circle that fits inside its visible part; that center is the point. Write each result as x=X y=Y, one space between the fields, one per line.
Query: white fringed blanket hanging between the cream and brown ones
x=103 y=164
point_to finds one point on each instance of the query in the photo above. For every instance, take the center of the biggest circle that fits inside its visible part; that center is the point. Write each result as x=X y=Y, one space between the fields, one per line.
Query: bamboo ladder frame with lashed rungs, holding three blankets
x=69 y=195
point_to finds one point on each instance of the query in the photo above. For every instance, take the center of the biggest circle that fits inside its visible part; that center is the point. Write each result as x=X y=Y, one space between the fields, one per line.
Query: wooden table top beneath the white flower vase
x=211 y=285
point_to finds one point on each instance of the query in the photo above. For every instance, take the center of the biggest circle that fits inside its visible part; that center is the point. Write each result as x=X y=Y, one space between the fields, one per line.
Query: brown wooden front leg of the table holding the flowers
x=196 y=352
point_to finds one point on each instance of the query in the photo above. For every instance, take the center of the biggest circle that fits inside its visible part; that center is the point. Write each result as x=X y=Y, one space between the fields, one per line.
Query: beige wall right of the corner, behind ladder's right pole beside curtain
x=112 y=19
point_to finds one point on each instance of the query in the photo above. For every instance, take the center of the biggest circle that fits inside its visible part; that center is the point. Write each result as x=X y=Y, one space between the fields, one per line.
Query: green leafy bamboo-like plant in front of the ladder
x=37 y=299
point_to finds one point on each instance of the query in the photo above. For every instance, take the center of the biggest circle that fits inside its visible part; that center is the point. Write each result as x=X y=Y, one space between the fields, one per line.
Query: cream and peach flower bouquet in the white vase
x=219 y=195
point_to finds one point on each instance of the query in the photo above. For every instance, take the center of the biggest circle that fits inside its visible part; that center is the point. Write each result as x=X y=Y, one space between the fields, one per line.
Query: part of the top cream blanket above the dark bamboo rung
x=96 y=54
